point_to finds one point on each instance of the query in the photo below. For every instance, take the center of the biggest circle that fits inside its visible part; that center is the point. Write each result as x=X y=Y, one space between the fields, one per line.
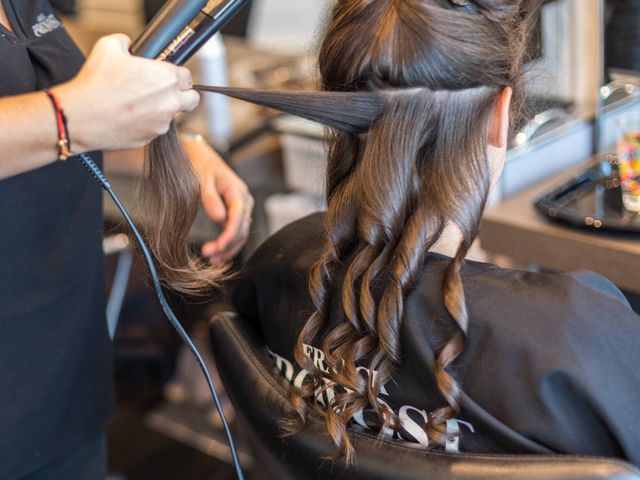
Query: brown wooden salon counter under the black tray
x=515 y=229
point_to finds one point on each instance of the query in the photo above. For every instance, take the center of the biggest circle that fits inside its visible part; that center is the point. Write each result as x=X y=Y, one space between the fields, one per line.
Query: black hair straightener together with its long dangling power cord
x=174 y=35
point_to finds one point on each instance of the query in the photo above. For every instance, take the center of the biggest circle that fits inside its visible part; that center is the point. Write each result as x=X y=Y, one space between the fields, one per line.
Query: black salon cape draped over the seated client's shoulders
x=552 y=362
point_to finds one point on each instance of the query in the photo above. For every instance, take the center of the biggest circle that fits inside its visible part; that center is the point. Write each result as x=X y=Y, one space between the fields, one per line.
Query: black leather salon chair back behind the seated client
x=259 y=395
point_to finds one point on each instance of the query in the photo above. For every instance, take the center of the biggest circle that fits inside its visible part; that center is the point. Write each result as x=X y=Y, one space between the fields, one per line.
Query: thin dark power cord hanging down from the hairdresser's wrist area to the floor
x=97 y=173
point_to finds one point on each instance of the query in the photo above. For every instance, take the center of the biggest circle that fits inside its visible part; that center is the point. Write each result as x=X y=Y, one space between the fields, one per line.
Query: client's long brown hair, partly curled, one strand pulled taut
x=408 y=91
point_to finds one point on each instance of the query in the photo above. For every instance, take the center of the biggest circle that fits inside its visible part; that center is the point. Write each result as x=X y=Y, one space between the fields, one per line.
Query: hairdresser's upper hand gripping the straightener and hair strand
x=119 y=101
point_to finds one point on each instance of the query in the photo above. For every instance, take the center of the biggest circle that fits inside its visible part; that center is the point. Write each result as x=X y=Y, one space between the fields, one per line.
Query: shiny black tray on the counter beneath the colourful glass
x=590 y=200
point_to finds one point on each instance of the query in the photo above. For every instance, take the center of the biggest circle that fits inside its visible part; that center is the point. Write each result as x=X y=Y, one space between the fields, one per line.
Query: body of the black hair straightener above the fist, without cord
x=182 y=27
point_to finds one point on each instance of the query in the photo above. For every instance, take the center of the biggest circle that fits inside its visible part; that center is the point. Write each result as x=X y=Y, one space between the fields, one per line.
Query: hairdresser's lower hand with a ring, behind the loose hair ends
x=225 y=198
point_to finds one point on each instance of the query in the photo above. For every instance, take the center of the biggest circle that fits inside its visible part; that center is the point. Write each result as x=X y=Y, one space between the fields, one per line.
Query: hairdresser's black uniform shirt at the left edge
x=55 y=372
